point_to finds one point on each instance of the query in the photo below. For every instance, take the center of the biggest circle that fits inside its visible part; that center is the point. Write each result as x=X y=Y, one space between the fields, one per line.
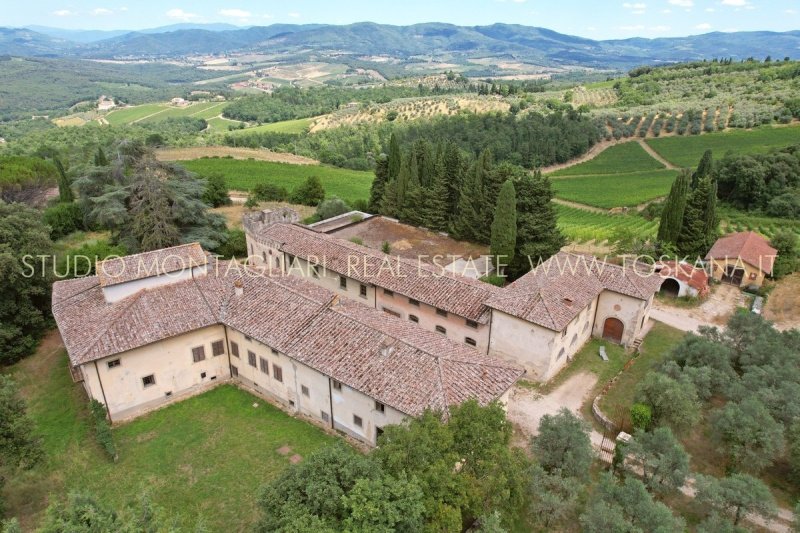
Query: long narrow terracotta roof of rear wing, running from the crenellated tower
x=419 y=280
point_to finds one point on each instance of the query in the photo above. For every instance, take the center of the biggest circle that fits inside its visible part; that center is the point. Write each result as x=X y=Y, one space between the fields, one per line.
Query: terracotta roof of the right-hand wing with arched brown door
x=557 y=290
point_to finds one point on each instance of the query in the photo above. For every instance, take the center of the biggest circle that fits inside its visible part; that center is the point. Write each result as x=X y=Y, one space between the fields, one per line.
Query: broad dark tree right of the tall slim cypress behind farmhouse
x=538 y=236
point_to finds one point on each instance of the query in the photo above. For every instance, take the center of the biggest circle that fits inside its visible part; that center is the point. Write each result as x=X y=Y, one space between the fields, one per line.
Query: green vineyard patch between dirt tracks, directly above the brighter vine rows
x=615 y=190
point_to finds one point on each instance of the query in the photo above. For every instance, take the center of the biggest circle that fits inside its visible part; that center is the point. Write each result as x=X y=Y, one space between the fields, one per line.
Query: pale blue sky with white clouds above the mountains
x=599 y=19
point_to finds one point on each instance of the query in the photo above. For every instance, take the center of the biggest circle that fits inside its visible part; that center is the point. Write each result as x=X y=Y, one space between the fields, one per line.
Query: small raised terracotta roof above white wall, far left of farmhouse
x=147 y=264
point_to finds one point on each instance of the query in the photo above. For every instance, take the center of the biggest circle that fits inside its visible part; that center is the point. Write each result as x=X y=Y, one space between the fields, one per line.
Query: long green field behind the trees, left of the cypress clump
x=348 y=185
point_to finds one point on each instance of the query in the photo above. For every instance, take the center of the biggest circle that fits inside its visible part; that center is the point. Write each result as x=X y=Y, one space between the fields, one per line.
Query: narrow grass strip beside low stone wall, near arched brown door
x=657 y=344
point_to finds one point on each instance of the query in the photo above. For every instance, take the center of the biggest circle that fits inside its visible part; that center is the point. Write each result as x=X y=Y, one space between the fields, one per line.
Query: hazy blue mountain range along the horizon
x=429 y=40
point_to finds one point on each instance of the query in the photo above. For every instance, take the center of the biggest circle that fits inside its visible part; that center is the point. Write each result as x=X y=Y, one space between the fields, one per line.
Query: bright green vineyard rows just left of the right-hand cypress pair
x=580 y=225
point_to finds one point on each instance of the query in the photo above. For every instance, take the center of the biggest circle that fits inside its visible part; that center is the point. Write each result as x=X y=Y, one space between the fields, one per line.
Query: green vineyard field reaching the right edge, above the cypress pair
x=687 y=151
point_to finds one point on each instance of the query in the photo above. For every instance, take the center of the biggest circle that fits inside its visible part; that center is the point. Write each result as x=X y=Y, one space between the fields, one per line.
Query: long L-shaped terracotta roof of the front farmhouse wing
x=340 y=338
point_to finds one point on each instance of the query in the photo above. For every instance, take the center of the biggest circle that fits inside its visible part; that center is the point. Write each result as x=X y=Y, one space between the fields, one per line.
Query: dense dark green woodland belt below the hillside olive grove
x=531 y=140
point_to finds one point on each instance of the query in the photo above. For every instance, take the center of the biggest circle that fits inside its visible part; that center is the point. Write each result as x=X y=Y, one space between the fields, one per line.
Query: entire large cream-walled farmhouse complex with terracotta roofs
x=350 y=338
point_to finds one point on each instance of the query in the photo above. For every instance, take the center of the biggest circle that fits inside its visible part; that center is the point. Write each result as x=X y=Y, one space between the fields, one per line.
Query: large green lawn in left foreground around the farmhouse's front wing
x=204 y=457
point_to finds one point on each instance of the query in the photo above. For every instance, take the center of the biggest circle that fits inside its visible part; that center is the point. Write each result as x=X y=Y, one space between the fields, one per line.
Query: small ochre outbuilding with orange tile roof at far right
x=743 y=259
